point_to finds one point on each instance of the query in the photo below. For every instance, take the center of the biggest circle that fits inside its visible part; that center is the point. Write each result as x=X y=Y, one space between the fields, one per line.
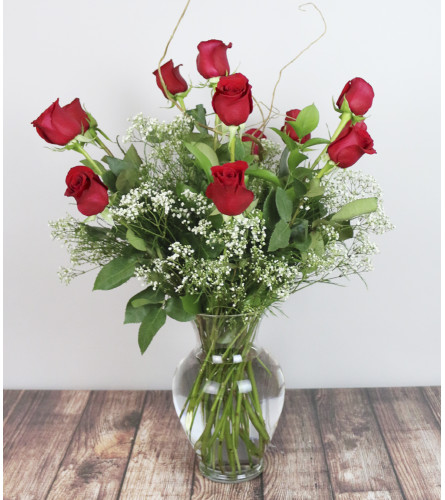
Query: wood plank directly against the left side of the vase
x=161 y=463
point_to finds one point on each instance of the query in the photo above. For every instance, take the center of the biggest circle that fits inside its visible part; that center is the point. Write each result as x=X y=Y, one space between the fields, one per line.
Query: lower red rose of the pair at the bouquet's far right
x=351 y=145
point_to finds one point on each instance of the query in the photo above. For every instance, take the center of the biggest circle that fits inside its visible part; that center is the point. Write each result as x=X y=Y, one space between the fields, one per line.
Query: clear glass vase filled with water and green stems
x=228 y=394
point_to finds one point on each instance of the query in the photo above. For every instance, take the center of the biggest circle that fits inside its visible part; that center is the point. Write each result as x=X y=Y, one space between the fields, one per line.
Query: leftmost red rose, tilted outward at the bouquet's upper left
x=61 y=125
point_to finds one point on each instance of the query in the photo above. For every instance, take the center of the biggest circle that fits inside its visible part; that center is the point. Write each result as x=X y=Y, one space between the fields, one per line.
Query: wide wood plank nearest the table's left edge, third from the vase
x=36 y=444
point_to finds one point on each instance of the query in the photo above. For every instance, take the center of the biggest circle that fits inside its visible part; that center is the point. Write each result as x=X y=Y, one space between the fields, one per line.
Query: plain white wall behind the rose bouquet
x=104 y=52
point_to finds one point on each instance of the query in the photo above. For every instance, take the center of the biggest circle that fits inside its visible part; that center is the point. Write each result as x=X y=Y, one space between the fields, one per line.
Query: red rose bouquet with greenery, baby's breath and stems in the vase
x=216 y=219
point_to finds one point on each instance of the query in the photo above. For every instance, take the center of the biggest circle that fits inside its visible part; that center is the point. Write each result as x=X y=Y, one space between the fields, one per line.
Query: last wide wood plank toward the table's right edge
x=412 y=438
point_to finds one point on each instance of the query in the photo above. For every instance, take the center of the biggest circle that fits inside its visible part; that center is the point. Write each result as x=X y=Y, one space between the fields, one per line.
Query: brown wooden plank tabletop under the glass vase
x=337 y=444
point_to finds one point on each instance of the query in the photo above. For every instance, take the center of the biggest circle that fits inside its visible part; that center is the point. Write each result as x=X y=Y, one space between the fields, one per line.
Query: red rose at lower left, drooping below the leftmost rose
x=87 y=189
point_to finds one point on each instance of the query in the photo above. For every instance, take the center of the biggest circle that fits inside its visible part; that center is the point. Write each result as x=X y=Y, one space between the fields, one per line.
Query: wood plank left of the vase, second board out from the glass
x=95 y=462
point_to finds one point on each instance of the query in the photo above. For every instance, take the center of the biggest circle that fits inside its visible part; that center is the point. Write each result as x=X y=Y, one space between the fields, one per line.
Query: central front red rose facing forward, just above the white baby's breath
x=228 y=191
